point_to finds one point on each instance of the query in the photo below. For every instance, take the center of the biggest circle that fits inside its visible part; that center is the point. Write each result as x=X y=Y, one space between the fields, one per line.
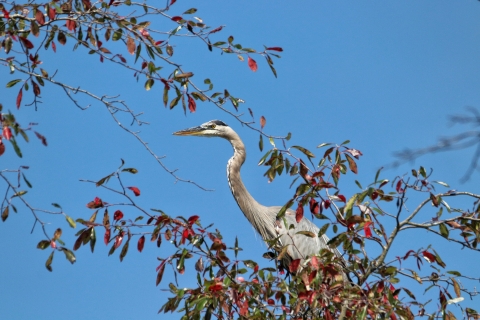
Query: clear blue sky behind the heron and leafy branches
x=384 y=74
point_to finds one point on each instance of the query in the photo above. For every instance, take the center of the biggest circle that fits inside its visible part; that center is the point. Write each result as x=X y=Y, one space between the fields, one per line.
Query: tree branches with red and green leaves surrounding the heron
x=313 y=291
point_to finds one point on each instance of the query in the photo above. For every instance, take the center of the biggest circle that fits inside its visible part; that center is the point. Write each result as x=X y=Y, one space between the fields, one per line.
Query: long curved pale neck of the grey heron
x=245 y=201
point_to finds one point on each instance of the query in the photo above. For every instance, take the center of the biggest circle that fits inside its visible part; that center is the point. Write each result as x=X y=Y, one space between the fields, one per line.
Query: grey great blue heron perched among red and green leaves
x=262 y=218
